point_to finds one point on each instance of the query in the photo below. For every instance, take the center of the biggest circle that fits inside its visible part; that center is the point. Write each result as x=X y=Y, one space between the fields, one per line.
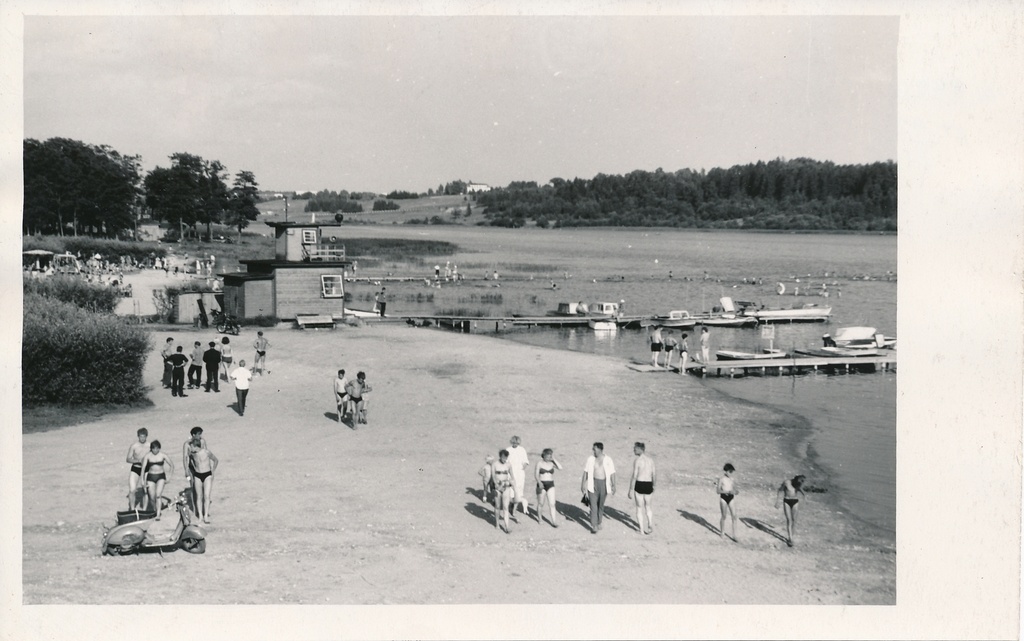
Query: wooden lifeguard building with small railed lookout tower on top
x=307 y=277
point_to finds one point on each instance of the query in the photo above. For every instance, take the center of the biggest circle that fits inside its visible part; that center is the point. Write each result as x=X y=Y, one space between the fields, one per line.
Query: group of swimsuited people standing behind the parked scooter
x=151 y=467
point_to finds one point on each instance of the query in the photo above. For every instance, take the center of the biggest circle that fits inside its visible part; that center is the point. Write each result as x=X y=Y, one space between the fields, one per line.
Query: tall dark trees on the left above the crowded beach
x=73 y=188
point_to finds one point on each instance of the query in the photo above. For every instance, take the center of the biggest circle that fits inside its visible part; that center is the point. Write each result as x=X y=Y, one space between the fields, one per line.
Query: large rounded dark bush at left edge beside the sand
x=73 y=357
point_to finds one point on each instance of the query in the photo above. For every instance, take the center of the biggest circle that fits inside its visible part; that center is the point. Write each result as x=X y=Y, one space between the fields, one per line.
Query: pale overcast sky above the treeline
x=378 y=104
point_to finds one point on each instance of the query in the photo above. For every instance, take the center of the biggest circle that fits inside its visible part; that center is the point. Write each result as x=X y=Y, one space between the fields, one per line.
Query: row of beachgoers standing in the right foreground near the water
x=505 y=480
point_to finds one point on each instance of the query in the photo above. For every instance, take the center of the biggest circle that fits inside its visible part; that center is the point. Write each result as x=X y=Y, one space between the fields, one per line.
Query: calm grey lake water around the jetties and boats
x=854 y=417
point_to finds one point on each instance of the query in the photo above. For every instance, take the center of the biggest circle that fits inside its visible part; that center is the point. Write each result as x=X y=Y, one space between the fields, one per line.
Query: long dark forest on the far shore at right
x=798 y=195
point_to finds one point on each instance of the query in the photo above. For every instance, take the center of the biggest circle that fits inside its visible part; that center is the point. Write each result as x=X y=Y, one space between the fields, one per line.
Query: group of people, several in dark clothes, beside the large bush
x=217 y=360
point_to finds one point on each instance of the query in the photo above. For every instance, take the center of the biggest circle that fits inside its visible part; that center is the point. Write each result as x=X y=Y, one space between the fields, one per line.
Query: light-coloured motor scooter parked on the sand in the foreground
x=132 y=534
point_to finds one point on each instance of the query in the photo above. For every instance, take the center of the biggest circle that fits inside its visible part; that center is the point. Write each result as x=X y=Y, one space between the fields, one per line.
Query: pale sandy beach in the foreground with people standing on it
x=308 y=511
